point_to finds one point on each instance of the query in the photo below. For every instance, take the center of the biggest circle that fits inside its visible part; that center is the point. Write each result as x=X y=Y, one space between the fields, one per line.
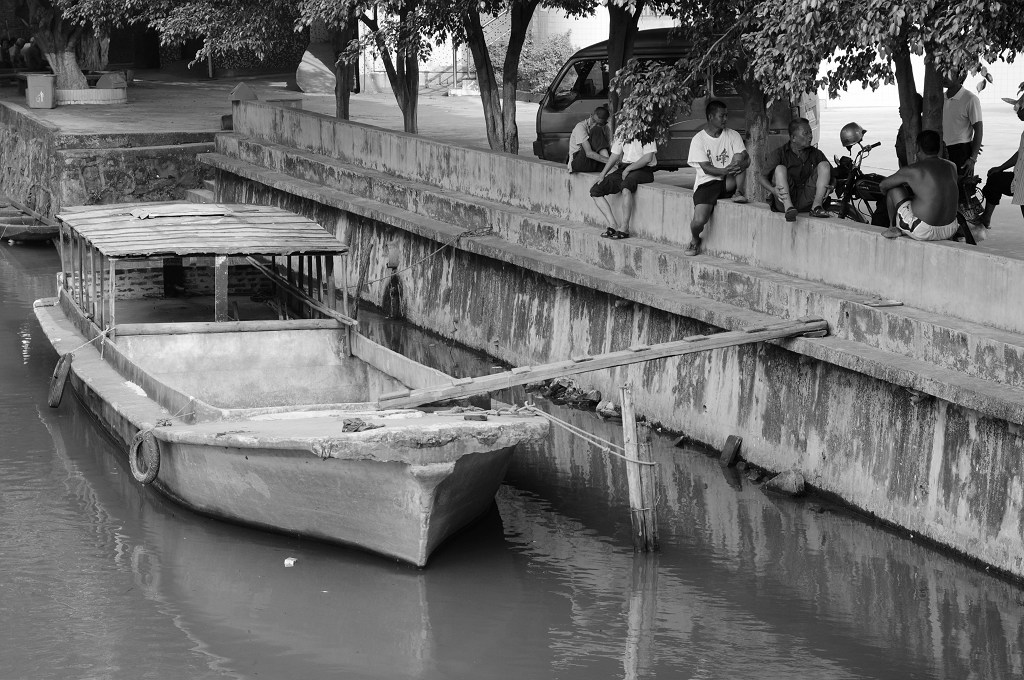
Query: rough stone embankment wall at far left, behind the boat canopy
x=46 y=169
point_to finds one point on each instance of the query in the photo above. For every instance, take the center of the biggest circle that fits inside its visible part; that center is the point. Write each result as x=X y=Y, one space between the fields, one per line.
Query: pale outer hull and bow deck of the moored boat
x=399 y=490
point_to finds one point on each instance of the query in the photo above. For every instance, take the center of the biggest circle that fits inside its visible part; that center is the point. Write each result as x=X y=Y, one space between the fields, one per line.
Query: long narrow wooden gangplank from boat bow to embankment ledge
x=498 y=381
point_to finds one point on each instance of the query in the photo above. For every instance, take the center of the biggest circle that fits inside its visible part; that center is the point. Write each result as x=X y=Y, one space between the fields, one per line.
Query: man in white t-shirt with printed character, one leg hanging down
x=721 y=160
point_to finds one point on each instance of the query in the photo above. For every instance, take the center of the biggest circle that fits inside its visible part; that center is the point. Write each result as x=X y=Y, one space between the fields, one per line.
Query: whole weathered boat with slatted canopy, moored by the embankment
x=269 y=414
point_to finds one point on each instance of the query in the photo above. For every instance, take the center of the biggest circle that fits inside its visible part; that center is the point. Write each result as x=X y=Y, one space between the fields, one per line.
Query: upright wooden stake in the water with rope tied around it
x=639 y=478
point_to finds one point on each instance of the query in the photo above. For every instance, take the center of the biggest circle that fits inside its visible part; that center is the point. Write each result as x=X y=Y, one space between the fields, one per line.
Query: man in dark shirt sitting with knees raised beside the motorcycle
x=798 y=175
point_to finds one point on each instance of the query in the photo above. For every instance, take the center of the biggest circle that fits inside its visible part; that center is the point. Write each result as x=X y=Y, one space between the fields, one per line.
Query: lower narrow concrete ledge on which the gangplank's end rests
x=920 y=376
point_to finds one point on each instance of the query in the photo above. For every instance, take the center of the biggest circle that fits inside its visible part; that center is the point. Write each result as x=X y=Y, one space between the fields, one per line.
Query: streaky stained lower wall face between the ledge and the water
x=948 y=473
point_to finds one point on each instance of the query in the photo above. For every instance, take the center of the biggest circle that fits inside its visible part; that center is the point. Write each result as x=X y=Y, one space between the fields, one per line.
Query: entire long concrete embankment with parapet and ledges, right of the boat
x=912 y=412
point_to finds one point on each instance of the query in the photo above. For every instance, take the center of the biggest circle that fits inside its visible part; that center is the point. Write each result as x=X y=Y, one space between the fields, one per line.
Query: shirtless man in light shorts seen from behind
x=922 y=197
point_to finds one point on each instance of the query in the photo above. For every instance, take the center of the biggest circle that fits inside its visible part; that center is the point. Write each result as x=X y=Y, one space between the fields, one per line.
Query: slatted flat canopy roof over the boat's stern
x=178 y=229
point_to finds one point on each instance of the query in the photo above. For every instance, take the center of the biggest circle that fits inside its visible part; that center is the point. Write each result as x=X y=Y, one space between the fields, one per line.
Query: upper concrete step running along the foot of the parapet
x=929 y=337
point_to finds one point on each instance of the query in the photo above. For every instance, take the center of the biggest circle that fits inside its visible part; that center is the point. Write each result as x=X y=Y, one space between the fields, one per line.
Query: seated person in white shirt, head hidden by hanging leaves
x=631 y=164
